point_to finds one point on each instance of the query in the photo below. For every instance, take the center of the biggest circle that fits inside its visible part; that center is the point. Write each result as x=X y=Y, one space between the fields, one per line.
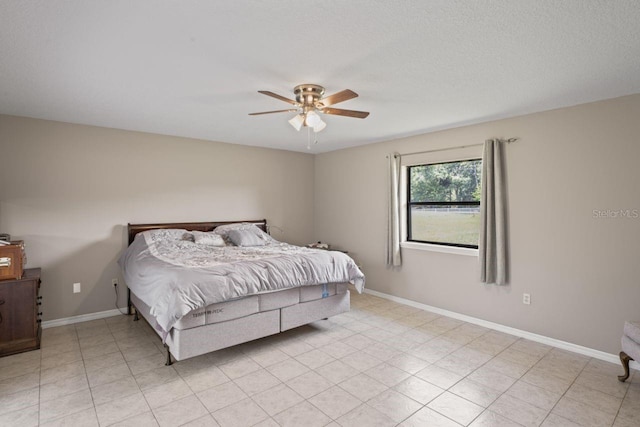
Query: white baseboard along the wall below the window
x=586 y=351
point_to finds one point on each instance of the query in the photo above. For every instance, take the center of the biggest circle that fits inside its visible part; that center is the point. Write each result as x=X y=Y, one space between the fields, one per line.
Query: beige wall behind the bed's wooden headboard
x=69 y=191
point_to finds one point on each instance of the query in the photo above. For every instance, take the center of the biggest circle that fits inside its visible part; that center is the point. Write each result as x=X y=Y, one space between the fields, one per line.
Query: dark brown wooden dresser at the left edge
x=20 y=313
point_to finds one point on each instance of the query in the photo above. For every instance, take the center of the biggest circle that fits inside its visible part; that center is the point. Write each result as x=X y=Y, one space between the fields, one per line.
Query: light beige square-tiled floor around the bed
x=381 y=364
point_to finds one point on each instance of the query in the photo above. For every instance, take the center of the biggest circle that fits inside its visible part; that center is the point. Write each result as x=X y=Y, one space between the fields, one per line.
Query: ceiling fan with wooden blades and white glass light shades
x=309 y=102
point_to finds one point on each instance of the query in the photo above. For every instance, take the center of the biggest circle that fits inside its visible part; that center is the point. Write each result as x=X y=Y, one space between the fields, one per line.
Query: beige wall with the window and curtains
x=583 y=273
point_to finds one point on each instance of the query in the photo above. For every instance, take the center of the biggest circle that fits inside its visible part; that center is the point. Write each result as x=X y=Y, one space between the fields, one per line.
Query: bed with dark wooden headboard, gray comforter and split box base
x=204 y=286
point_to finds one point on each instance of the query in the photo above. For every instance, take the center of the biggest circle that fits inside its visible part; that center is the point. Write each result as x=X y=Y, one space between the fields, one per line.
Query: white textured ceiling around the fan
x=193 y=68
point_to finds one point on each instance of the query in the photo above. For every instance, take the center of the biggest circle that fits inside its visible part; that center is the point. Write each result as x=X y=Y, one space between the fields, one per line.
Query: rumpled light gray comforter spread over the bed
x=173 y=275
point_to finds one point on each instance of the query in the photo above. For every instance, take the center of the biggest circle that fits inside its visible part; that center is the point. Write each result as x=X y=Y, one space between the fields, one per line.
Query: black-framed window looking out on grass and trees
x=443 y=203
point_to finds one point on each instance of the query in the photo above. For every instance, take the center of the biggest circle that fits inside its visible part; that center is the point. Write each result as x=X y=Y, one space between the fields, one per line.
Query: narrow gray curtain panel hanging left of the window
x=393 y=219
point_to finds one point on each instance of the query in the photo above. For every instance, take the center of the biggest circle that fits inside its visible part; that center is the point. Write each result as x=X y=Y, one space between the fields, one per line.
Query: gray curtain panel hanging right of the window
x=493 y=215
